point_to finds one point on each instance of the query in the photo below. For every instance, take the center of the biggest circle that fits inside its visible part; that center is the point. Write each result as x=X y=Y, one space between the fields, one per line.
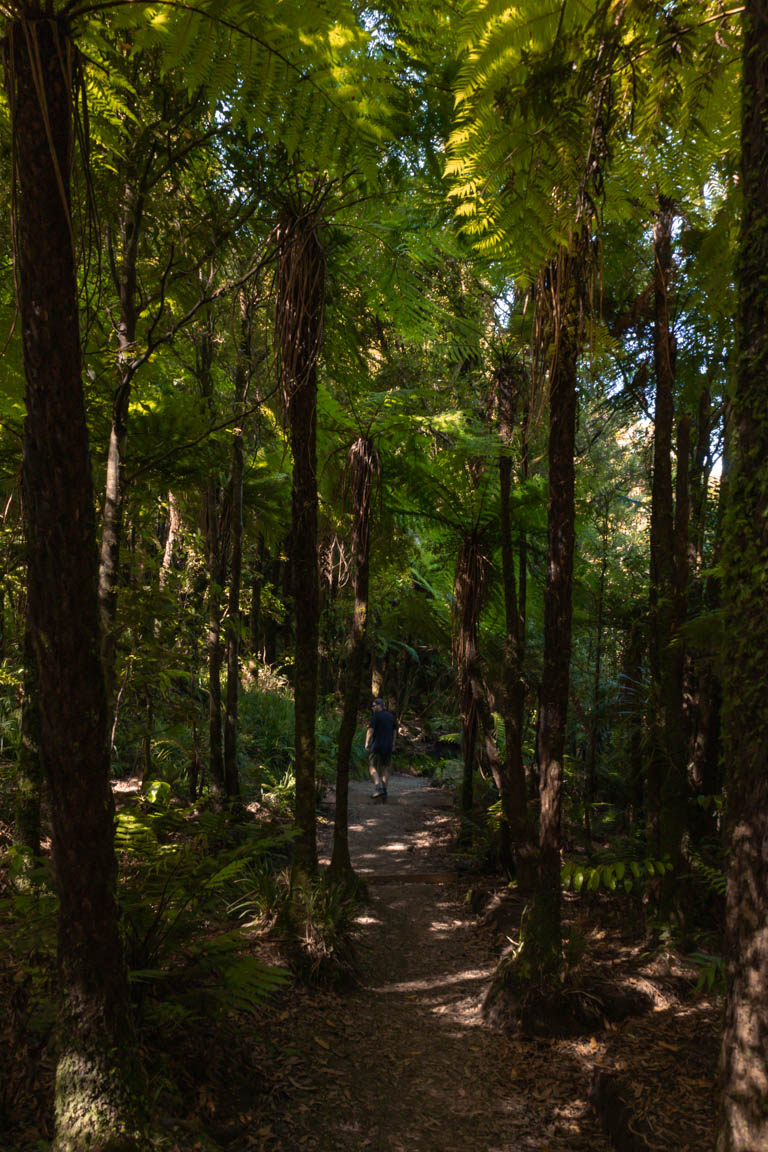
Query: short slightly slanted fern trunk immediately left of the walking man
x=363 y=468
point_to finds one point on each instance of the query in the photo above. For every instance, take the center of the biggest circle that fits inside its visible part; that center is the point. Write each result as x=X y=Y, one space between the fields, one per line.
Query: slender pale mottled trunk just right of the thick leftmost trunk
x=112 y=522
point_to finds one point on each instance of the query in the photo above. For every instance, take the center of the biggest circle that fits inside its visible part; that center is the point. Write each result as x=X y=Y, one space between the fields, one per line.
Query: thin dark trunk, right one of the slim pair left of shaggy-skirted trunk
x=232 y=776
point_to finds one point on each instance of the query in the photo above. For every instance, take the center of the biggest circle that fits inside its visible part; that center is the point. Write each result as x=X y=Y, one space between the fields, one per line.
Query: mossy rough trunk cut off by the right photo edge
x=744 y=1058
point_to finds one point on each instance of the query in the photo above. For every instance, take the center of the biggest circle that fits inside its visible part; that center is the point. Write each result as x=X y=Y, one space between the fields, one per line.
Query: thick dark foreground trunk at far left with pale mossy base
x=97 y=1070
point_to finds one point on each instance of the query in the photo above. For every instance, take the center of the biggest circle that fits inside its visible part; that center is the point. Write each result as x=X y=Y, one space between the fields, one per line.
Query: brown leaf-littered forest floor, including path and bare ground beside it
x=402 y=1062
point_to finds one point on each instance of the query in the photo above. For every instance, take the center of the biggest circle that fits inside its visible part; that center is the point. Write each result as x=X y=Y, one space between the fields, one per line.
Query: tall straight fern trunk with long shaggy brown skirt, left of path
x=300 y=304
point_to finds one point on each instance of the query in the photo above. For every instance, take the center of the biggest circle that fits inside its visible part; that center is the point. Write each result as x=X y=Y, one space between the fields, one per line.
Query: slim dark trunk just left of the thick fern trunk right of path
x=514 y=795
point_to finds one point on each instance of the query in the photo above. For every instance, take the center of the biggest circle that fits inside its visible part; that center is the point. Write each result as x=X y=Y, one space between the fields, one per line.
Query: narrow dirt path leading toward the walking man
x=404 y=1063
